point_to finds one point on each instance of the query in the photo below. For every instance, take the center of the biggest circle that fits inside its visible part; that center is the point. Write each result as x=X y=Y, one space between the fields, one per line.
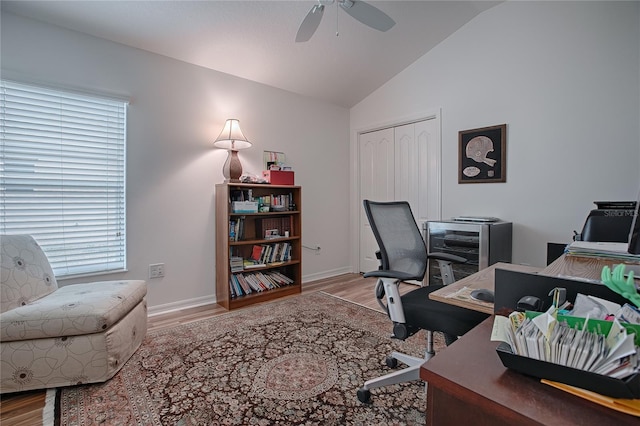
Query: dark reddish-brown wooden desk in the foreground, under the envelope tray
x=469 y=385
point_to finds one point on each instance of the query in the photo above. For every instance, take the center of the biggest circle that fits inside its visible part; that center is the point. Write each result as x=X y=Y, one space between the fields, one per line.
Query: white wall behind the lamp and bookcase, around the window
x=176 y=111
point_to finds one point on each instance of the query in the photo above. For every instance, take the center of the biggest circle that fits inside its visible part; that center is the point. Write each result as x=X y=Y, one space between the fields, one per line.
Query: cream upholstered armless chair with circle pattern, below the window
x=54 y=336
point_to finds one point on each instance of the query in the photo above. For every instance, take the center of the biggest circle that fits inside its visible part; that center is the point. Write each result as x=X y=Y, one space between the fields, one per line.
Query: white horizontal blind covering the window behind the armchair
x=62 y=176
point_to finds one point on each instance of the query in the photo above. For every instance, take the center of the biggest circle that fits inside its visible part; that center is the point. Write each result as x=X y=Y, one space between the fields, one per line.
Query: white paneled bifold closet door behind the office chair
x=399 y=163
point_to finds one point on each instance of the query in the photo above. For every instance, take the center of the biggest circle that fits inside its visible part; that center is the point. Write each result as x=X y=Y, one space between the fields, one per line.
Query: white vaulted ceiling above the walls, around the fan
x=342 y=63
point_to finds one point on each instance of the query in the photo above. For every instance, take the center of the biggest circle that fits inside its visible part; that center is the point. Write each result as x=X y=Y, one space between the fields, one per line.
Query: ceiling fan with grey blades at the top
x=361 y=11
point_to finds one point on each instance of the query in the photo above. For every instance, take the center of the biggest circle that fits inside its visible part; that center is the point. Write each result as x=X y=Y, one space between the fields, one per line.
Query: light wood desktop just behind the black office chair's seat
x=454 y=294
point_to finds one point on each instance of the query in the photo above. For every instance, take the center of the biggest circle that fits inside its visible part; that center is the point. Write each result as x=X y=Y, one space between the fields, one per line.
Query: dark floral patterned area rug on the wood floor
x=295 y=361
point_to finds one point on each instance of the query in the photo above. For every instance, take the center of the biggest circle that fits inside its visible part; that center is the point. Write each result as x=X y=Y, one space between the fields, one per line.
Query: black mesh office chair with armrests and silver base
x=403 y=257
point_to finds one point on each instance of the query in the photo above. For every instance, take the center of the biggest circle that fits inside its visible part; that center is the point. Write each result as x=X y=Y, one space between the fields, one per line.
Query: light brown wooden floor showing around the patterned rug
x=25 y=408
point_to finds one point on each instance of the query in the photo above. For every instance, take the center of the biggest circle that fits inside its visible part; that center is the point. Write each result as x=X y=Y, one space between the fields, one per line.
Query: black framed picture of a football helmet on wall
x=482 y=155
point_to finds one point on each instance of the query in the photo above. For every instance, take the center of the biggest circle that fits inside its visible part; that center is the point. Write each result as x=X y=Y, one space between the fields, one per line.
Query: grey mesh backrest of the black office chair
x=399 y=239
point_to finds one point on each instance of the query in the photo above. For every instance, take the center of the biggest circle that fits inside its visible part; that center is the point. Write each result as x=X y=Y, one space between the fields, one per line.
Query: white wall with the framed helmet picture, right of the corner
x=564 y=76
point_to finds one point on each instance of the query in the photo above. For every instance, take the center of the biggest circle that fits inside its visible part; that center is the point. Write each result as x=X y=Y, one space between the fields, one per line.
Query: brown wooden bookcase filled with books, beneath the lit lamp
x=258 y=255
